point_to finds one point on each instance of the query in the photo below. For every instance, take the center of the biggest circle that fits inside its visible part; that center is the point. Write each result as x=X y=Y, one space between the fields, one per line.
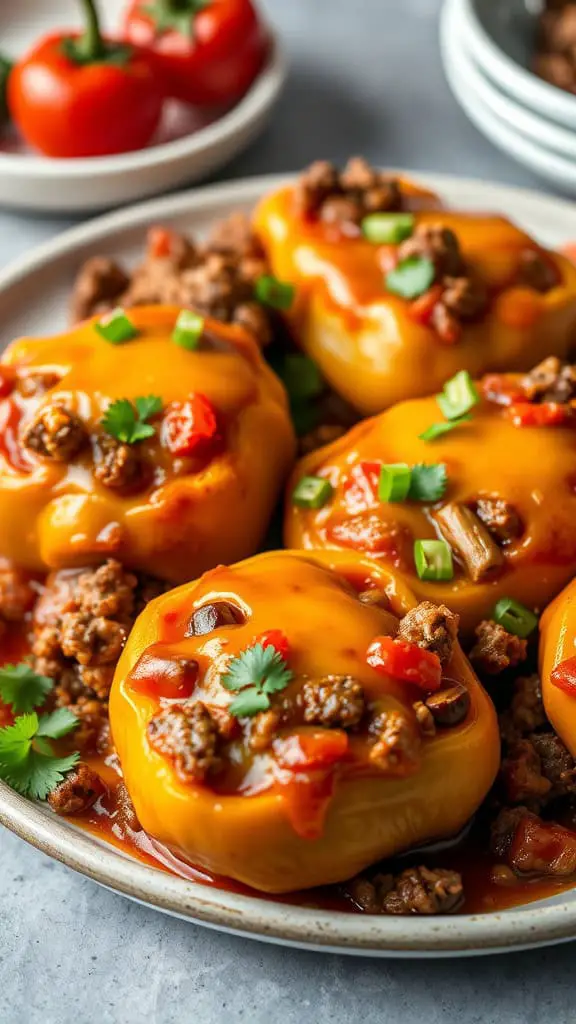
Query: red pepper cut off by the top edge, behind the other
x=209 y=52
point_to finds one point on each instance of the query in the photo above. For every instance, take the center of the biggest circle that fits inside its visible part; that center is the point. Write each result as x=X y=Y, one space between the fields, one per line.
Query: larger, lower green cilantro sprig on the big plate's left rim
x=33 y=772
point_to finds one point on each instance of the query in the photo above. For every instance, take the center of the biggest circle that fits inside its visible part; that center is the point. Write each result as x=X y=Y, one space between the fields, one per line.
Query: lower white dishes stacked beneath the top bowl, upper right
x=524 y=137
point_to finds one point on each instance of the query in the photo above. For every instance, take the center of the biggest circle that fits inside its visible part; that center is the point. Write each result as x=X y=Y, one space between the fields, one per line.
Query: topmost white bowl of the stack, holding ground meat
x=508 y=74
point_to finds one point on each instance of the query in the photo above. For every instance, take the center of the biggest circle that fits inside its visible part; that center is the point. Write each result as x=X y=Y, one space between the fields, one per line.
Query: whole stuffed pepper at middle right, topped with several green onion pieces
x=470 y=494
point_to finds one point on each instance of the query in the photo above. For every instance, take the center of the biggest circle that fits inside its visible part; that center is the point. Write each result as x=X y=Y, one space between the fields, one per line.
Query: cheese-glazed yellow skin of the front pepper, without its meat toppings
x=282 y=830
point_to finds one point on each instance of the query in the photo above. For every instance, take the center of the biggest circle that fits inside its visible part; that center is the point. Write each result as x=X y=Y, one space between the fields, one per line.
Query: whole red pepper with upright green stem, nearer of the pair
x=84 y=96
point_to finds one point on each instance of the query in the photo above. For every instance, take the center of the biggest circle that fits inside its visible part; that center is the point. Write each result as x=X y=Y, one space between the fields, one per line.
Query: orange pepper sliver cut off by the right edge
x=558 y=639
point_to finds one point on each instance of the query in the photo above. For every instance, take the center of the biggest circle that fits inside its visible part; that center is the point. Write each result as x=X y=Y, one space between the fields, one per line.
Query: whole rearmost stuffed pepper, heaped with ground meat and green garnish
x=394 y=295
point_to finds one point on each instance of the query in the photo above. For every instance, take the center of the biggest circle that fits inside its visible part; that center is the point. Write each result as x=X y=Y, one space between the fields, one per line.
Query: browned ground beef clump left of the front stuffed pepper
x=79 y=628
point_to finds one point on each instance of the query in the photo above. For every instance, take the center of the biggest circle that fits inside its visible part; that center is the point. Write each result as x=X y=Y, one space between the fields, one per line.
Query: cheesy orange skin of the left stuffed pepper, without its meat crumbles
x=191 y=513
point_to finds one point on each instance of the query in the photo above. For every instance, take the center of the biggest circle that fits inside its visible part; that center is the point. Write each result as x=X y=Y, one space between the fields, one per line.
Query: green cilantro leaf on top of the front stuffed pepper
x=257 y=673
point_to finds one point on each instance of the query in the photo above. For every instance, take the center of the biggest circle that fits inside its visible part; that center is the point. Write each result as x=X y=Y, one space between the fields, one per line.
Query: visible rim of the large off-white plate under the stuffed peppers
x=33 y=300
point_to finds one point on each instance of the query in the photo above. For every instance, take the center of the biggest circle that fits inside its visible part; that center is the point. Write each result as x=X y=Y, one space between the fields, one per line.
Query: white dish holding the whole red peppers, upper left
x=33 y=183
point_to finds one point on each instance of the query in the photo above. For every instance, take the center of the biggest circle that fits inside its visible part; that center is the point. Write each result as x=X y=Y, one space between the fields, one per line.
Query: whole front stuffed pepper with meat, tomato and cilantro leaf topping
x=291 y=720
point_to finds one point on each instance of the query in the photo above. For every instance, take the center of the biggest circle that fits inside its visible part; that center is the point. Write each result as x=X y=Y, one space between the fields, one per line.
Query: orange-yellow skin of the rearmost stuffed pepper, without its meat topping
x=366 y=343
